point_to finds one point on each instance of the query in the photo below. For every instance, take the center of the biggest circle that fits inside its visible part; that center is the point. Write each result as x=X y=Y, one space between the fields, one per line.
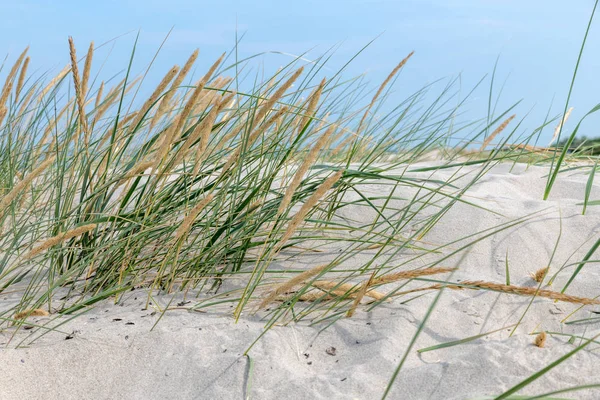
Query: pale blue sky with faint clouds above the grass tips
x=537 y=41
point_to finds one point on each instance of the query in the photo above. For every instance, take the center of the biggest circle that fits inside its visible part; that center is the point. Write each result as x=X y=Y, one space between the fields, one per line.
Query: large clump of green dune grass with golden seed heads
x=216 y=179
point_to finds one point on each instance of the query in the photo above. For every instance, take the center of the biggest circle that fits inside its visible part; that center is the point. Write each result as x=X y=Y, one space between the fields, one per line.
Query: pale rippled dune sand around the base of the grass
x=113 y=354
